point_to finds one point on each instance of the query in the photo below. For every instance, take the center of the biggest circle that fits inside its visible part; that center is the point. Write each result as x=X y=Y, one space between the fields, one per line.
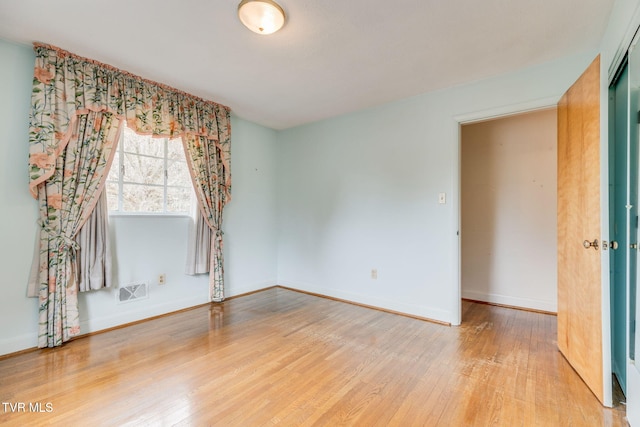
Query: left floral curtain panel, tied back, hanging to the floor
x=66 y=200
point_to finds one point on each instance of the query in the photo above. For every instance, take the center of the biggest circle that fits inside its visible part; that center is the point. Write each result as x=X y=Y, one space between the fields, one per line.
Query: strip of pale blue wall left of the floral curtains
x=18 y=210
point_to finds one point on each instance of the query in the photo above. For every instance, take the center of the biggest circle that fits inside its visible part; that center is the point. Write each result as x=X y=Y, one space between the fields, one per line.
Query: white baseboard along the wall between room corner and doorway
x=409 y=309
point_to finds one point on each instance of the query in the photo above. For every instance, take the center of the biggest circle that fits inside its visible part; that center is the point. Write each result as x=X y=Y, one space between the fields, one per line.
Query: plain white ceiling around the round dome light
x=332 y=56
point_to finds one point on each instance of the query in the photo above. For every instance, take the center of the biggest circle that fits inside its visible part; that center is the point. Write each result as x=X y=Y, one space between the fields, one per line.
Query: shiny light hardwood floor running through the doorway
x=280 y=357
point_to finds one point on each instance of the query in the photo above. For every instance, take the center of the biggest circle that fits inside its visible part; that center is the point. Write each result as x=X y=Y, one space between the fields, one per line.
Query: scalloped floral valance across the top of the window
x=66 y=85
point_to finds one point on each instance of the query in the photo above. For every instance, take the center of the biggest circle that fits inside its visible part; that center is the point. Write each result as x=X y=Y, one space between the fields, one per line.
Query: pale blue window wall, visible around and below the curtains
x=144 y=247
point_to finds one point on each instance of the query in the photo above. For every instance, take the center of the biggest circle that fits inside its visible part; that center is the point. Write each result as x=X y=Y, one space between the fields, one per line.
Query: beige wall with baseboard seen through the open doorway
x=508 y=199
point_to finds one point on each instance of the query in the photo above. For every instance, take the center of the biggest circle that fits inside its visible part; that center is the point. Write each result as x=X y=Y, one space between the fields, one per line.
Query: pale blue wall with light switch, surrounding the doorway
x=360 y=191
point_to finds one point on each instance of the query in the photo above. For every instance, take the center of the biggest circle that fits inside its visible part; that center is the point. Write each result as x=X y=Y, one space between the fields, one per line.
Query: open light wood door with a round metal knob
x=580 y=321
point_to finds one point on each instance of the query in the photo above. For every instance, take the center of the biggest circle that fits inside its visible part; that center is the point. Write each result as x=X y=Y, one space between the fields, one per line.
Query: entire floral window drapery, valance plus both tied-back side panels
x=76 y=109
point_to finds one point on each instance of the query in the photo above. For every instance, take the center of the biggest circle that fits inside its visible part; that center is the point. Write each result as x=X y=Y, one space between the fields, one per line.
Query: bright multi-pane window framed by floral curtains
x=149 y=176
